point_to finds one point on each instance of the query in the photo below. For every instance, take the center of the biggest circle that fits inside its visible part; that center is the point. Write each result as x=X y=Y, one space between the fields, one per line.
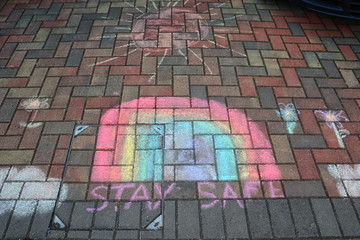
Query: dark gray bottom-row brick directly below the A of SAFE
x=235 y=220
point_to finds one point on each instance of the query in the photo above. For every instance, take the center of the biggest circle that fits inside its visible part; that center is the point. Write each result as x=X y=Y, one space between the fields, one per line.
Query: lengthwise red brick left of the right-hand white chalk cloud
x=306 y=164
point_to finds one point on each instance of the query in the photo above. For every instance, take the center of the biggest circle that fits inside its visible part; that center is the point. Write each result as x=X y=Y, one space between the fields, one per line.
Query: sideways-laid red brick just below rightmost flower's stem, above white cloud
x=331 y=156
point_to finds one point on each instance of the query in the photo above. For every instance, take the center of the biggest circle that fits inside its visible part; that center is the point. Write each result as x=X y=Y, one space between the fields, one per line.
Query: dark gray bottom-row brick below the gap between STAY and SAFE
x=188 y=219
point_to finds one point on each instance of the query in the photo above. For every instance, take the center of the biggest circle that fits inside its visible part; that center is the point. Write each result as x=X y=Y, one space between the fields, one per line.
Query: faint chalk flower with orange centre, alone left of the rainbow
x=34 y=103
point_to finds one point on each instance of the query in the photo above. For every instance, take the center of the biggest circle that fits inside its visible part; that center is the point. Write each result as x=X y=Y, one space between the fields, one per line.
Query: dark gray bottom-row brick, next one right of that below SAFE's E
x=304 y=220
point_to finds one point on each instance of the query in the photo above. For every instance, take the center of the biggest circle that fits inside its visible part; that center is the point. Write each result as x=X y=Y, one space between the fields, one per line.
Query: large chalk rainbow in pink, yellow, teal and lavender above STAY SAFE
x=123 y=156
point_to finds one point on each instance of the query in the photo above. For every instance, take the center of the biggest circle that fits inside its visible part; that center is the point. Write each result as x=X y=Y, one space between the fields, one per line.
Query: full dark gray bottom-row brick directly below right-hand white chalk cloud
x=347 y=217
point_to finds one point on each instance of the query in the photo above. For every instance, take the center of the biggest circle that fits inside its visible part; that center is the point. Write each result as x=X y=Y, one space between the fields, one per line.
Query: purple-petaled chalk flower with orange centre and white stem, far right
x=333 y=120
